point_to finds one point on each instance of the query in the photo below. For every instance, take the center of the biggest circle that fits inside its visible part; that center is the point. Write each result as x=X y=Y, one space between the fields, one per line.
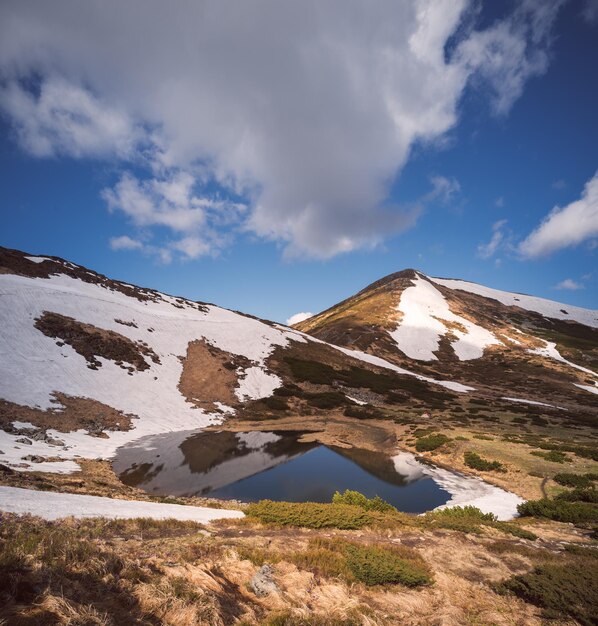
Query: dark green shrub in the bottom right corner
x=567 y=589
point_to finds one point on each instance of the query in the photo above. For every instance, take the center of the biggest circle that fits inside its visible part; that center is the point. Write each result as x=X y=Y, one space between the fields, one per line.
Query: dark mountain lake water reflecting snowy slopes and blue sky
x=256 y=465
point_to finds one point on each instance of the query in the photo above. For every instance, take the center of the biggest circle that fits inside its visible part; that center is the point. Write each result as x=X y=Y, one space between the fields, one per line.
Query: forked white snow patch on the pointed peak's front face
x=418 y=334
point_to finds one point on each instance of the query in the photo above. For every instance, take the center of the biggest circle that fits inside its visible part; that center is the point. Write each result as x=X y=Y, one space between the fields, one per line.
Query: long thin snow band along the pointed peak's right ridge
x=547 y=308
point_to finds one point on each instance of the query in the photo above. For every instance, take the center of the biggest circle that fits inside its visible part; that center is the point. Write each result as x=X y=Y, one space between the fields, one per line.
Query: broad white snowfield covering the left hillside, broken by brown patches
x=33 y=366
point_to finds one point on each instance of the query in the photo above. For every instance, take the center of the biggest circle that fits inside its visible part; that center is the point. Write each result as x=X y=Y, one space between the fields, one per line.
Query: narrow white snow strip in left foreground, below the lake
x=52 y=506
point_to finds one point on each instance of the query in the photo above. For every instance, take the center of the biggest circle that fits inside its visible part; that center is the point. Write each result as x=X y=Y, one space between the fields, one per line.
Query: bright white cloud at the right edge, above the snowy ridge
x=565 y=227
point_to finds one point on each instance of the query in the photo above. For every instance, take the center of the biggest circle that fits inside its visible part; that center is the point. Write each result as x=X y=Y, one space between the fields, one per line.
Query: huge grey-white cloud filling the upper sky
x=306 y=110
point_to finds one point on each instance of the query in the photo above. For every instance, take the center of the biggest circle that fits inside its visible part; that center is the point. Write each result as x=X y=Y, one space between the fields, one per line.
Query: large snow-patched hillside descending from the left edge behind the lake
x=88 y=364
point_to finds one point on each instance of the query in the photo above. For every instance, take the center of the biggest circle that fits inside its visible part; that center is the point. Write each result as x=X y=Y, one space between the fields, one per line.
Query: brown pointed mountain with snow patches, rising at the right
x=503 y=343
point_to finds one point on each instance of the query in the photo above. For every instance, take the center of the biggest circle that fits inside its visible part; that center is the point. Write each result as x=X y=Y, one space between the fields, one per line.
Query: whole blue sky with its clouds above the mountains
x=281 y=173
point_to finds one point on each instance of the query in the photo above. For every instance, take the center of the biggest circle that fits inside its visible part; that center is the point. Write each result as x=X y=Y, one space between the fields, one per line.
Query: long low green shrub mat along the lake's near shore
x=309 y=514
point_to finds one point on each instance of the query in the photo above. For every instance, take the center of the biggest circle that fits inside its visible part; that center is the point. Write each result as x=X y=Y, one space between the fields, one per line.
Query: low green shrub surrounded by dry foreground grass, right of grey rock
x=374 y=565
